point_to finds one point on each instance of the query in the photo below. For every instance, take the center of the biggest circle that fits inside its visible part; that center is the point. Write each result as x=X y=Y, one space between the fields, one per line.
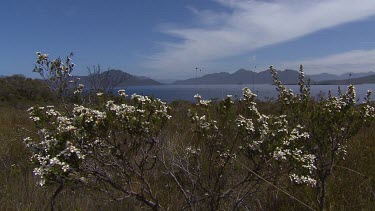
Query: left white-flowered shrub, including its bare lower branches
x=113 y=145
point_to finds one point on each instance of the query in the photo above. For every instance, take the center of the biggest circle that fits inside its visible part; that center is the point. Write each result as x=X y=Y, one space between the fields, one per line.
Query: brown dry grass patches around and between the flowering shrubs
x=351 y=187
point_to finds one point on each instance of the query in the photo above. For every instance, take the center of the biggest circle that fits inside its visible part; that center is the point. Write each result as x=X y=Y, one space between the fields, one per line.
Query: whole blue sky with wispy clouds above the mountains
x=167 y=39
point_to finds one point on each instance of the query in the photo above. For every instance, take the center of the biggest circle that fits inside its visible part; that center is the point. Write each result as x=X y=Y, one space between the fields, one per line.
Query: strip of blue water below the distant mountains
x=264 y=91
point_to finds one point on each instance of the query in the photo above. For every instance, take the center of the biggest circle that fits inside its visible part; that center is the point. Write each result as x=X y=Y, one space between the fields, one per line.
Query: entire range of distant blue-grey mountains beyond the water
x=117 y=78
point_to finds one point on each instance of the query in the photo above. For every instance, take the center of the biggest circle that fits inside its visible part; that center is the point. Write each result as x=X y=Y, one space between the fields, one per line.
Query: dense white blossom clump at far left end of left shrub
x=58 y=151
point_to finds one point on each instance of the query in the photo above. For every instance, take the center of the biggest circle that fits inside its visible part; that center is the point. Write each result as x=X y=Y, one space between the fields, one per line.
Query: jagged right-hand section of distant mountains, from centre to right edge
x=287 y=76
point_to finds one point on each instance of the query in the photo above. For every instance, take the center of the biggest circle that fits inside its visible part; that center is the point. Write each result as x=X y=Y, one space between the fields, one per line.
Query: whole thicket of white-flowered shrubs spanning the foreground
x=232 y=157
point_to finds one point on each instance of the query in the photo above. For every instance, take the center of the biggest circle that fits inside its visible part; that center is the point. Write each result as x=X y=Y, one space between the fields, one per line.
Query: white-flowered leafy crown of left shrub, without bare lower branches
x=65 y=141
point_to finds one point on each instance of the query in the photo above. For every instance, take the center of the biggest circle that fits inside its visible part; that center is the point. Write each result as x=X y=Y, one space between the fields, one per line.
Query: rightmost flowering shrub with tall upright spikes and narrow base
x=330 y=123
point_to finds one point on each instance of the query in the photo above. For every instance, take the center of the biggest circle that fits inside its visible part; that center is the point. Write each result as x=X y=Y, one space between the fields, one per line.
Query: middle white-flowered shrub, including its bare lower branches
x=213 y=175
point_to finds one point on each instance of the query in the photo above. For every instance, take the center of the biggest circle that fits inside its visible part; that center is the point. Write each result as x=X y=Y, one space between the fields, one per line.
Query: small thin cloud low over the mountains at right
x=352 y=61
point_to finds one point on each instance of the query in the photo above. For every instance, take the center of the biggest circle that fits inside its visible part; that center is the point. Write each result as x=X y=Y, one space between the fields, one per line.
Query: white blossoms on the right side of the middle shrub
x=272 y=134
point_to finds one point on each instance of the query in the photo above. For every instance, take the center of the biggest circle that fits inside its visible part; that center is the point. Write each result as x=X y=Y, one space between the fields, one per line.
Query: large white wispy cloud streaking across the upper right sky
x=249 y=25
